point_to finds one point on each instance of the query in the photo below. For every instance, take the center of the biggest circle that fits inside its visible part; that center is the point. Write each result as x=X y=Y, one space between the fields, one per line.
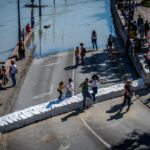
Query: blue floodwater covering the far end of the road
x=72 y=22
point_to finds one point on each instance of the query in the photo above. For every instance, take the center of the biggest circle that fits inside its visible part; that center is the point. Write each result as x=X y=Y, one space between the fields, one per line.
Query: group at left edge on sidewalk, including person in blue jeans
x=5 y=75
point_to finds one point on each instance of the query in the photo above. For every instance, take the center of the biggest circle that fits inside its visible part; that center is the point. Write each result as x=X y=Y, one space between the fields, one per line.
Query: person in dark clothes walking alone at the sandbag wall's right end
x=128 y=93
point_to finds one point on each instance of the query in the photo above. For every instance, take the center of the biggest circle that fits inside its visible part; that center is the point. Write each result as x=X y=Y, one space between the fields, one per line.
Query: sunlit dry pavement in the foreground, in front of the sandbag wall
x=102 y=125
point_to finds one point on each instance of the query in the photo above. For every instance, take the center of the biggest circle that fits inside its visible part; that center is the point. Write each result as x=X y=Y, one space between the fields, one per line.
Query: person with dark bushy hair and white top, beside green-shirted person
x=94 y=84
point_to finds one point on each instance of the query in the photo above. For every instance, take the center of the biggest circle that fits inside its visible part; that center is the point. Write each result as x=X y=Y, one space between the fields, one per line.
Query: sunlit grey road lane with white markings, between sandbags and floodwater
x=42 y=80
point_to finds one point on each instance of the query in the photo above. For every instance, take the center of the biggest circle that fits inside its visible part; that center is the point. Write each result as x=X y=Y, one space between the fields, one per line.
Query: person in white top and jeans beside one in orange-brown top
x=70 y=88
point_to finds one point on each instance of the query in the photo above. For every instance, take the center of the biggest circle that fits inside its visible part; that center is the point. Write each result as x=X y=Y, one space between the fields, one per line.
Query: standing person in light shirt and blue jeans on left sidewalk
x=13 y=71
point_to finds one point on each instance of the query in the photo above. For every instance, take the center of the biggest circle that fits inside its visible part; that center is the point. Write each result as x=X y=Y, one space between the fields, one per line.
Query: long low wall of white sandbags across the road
x=46 y=110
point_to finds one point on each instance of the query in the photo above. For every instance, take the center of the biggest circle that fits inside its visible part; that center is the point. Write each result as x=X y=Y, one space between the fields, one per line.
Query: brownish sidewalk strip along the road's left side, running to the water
x=8 y=96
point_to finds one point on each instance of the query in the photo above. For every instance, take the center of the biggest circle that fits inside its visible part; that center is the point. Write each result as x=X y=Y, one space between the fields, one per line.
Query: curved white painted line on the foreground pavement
x=94 y=133
